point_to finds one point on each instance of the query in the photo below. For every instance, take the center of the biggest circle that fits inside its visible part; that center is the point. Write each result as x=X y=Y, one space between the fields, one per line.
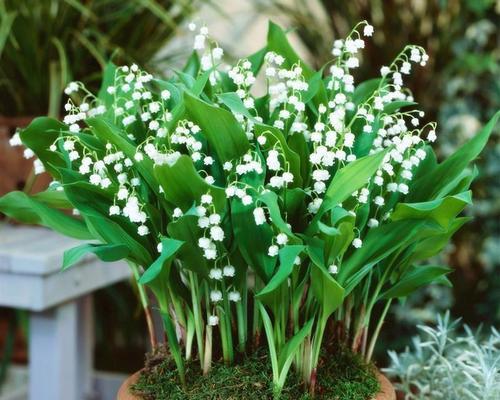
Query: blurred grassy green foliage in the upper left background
x=45 y=44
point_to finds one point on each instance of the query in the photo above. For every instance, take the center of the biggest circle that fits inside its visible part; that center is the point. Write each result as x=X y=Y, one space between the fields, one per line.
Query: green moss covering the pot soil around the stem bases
x=341 y=376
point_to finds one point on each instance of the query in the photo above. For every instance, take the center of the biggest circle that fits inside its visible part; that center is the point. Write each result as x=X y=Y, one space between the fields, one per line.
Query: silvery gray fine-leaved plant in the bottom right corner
x=445 y=365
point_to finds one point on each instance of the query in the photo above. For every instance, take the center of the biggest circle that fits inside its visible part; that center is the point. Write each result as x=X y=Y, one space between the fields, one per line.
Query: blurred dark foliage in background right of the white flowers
x=459 y=88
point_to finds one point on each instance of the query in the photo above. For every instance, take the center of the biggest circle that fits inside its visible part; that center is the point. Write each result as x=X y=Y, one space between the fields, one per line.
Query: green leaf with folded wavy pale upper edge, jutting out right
x=443 y=211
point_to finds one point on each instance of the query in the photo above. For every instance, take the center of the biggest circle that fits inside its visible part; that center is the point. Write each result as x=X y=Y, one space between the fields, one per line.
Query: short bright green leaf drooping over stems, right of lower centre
x=327 y=291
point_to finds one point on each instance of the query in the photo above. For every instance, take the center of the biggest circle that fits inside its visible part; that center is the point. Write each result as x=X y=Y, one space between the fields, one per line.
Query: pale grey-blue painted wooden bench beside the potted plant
x=61 y=333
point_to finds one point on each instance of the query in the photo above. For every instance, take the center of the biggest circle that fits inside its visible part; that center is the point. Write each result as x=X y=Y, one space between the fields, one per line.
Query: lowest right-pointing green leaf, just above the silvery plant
x=419 y=276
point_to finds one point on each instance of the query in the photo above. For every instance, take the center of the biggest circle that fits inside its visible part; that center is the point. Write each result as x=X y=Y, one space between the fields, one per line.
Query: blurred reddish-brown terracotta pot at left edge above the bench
x=14 y=167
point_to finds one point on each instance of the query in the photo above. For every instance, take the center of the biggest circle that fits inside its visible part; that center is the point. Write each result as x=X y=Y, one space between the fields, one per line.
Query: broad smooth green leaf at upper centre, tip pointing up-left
x=221 y=129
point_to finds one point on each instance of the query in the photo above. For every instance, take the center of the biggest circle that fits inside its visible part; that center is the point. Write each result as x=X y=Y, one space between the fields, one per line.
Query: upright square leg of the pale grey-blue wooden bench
x=60 y=352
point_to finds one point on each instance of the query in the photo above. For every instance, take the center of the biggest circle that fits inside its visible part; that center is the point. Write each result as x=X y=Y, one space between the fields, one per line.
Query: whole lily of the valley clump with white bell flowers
x=293 y=212
